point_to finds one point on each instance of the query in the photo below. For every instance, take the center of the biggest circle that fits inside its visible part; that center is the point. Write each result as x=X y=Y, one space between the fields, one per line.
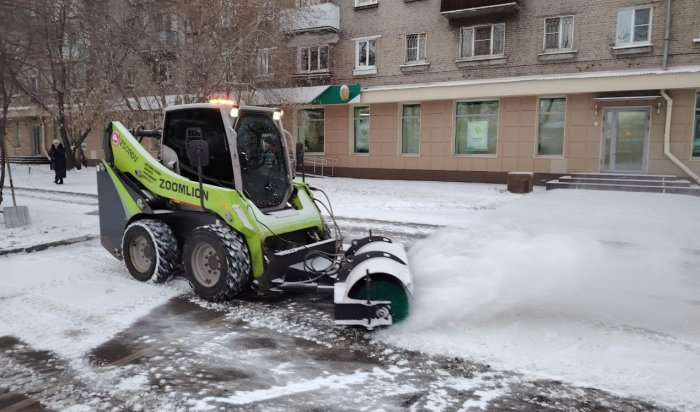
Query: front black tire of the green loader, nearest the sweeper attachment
x=217 y=262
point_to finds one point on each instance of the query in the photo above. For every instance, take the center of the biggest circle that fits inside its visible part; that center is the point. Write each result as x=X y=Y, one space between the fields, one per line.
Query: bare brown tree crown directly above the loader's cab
x=186 y=52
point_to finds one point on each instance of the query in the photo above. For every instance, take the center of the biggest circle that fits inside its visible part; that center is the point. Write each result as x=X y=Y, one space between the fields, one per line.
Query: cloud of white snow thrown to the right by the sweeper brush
x=602 y=290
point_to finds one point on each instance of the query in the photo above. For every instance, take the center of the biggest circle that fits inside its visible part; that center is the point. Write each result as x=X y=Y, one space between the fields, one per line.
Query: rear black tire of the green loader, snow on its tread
x=150 y=250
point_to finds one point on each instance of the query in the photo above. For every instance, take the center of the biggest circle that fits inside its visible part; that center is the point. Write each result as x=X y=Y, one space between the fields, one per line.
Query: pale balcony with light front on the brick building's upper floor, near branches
x=318 y=17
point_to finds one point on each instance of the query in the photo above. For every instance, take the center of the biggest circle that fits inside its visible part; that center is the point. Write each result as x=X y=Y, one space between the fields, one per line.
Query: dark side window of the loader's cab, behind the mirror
x=219 y=171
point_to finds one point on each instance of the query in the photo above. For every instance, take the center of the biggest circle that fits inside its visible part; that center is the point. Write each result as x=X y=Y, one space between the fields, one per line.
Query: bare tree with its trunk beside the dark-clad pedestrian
x=63 y=76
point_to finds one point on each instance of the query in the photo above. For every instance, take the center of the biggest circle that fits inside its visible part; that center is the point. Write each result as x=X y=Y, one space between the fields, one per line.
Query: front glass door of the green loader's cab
x=262 y=159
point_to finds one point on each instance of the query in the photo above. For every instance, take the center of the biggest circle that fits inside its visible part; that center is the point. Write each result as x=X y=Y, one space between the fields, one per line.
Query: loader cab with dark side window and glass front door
x=246 y=150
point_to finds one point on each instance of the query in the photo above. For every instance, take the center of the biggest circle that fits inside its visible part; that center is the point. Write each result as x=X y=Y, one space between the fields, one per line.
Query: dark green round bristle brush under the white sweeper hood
x=384 y=288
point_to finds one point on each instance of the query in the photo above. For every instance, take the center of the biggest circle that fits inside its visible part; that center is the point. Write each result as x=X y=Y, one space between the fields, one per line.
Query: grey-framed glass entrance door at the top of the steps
x=625 y=135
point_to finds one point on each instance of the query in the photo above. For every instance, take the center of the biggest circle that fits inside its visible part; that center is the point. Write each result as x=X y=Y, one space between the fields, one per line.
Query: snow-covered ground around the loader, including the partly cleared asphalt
x=598 y=290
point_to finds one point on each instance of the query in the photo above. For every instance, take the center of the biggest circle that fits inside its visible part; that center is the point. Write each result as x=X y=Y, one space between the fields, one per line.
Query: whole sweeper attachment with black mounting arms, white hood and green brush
x=370 y=281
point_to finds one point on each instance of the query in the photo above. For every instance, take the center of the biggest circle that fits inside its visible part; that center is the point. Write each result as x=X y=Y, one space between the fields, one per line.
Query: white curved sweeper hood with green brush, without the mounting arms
x=374 y=285
